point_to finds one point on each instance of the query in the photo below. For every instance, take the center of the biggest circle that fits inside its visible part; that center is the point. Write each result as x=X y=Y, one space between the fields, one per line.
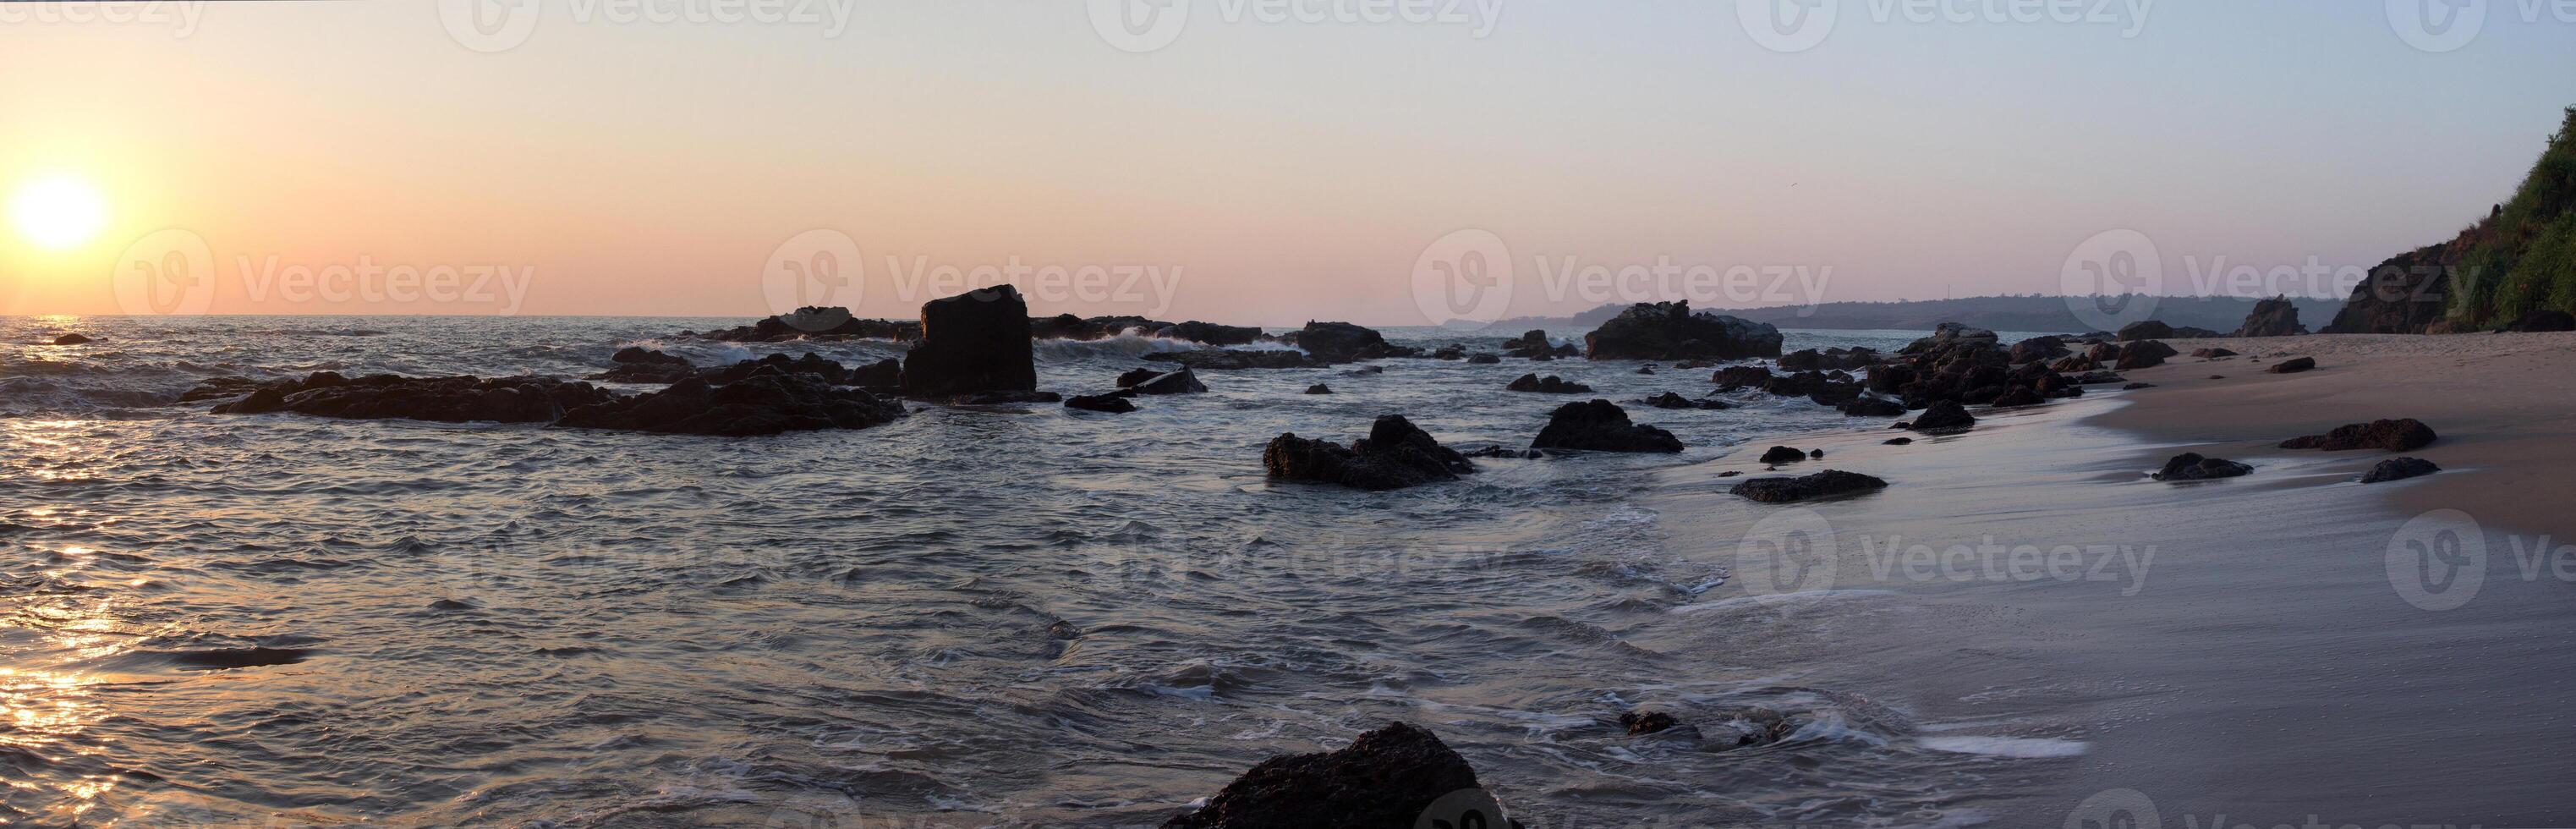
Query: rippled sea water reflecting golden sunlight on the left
x=972 y=617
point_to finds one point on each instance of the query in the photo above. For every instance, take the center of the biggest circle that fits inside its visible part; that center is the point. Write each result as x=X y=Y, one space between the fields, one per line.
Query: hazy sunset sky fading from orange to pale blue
x=1266 y=171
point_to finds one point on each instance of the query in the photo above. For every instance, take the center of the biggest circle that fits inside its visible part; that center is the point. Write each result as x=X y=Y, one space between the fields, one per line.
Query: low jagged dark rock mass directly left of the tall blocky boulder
x=764 y=403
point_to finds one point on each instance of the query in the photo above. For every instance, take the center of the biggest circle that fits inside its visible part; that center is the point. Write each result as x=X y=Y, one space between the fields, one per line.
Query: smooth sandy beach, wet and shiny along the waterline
x=2263 y=650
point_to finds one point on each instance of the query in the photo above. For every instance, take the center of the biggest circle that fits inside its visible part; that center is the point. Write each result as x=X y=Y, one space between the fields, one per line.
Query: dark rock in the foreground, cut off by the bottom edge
x=1382 y=781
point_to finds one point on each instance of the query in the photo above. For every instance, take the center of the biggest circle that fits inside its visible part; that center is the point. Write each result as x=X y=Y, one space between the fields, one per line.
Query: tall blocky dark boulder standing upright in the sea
x=975 y=341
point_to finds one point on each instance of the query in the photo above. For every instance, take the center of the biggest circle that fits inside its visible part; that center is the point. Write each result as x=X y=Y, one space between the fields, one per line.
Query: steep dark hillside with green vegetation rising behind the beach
x=2521 y=259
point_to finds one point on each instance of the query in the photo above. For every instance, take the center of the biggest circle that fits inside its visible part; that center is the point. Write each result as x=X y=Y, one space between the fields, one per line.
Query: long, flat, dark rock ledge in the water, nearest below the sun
x=442 y=400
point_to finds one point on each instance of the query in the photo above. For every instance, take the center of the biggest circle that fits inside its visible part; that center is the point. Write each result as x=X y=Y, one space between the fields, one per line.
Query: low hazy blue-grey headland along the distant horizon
x=1993 y=313
